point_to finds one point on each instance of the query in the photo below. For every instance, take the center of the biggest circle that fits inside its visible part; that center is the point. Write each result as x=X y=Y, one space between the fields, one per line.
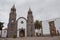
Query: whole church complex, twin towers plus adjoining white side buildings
x=23 y=27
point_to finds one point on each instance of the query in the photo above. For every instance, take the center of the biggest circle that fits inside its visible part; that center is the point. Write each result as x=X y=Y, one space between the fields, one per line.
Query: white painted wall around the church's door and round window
x=20 y=26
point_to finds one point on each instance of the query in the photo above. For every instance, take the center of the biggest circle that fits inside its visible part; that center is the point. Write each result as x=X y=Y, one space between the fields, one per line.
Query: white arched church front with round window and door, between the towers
x=21 y=27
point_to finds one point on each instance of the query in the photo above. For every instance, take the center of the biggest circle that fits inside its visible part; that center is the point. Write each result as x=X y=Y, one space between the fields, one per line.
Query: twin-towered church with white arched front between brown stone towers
x=21 y=27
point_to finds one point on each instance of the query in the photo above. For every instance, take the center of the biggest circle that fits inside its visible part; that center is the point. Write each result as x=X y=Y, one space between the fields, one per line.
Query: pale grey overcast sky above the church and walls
x=42 y=9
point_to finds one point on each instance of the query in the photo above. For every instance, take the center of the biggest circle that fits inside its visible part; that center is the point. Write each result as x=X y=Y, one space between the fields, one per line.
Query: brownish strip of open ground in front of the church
x=33 y=38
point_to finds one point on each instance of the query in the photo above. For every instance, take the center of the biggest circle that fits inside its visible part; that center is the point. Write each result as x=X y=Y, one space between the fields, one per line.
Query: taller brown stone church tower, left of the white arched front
x=12 y=26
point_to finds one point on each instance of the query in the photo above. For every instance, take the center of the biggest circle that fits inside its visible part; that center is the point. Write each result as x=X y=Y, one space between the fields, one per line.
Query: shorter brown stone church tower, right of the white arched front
x=30 y=24
